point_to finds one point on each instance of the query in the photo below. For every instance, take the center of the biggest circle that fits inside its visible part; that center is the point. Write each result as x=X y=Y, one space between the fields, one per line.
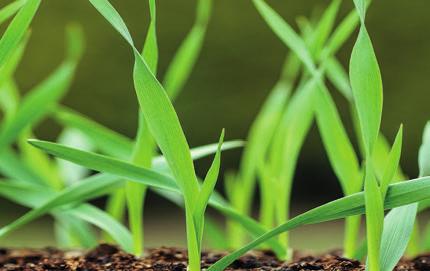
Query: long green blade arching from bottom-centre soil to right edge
x=398 y=194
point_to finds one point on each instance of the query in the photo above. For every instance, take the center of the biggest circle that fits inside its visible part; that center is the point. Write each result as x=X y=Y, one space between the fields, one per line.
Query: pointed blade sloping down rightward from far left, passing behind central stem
x=147 y=177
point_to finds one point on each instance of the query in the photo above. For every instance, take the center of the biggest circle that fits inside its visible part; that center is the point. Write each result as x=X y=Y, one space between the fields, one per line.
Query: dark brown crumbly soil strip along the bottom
x=107 y=257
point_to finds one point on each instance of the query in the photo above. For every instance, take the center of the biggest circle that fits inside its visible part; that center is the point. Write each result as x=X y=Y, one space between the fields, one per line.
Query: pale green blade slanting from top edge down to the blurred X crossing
x=285 y=33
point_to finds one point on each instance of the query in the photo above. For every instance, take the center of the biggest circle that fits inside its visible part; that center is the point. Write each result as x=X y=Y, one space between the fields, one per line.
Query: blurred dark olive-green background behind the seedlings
x=239 y=64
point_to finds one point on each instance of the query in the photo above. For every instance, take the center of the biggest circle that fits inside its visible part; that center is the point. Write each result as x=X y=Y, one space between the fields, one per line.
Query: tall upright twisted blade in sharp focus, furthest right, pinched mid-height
x=366 y=86
